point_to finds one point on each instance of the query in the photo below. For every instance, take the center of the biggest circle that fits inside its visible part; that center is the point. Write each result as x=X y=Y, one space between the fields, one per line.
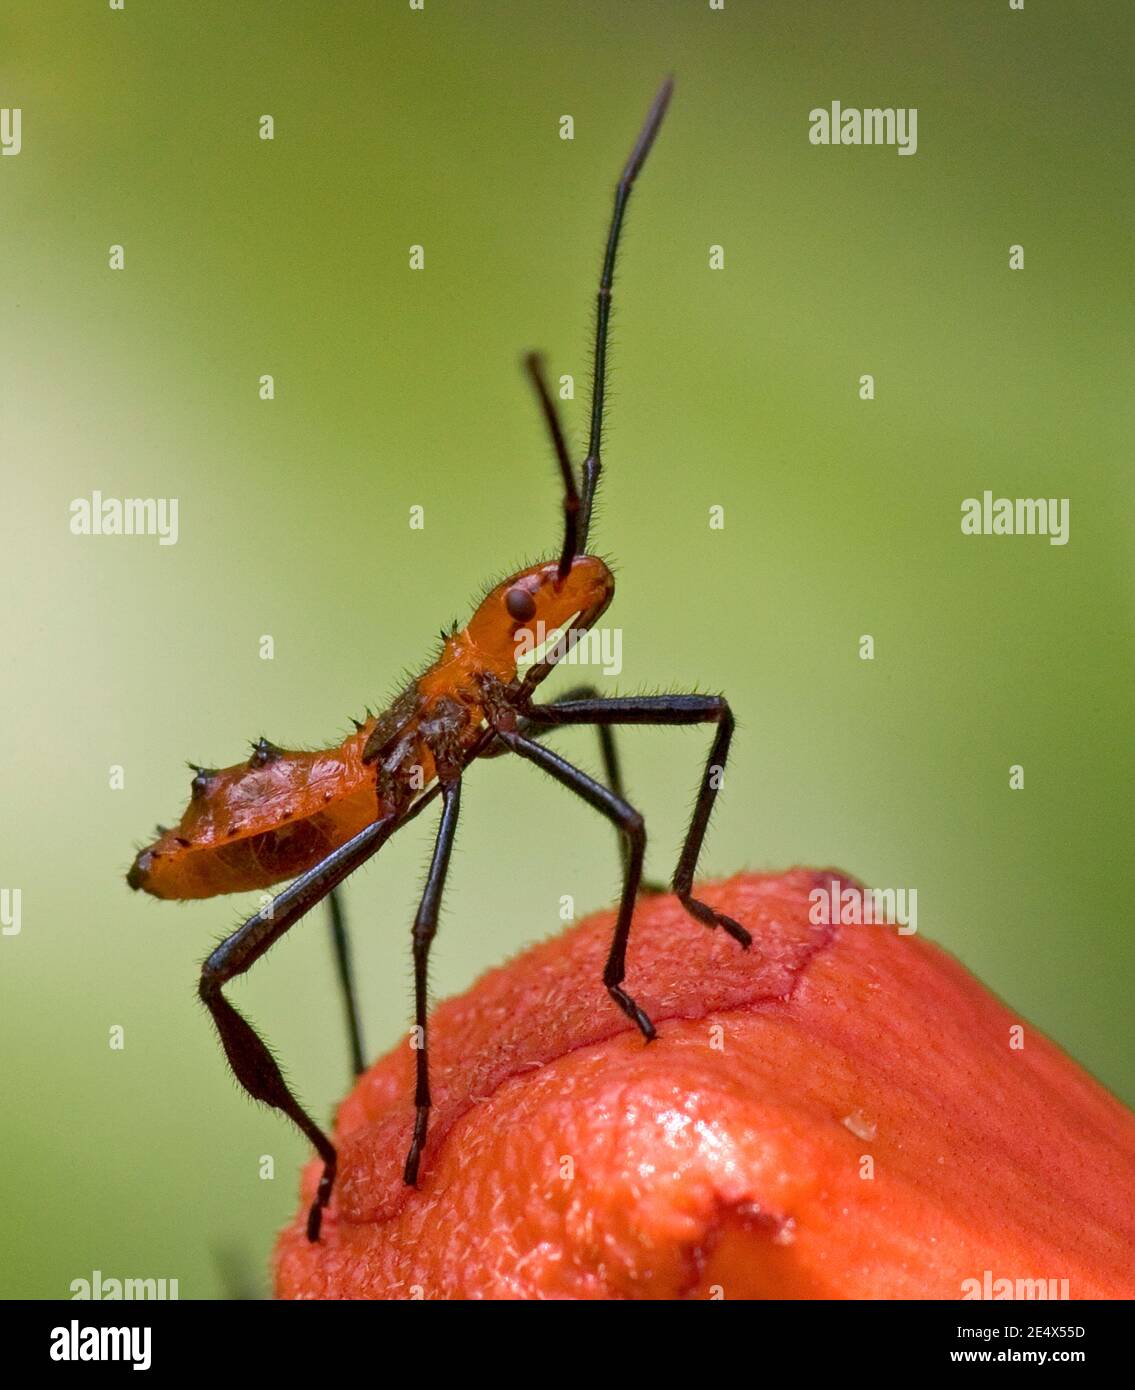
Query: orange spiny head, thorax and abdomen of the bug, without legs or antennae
x=258 y=824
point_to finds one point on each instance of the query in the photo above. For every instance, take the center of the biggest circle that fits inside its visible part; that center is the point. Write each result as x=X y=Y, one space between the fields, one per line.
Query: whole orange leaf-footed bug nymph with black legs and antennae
x=316 y=817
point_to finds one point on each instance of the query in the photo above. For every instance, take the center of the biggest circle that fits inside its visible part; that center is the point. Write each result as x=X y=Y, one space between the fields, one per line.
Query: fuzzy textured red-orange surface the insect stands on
x=567 y=1159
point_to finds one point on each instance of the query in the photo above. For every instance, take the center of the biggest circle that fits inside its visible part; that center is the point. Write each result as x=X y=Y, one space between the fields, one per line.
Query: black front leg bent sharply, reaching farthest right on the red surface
x=669 y=710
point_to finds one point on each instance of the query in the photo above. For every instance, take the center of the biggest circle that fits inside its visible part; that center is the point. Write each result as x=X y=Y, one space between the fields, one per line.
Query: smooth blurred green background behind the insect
x=394 y=389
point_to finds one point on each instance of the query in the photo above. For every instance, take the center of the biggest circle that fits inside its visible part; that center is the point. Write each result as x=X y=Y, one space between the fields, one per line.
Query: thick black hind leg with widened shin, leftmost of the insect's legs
x=254 y=1065
